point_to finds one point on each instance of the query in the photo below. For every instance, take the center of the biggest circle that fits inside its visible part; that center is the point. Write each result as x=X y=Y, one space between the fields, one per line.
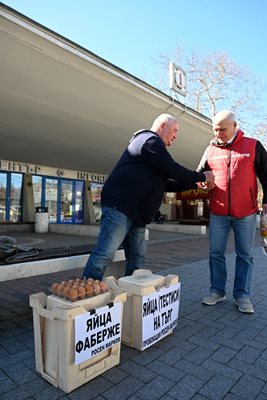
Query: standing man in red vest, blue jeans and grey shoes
x=236 y=161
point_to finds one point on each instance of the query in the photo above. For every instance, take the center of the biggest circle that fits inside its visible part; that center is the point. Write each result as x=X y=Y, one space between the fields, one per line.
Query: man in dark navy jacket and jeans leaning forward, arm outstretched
x=133 y=193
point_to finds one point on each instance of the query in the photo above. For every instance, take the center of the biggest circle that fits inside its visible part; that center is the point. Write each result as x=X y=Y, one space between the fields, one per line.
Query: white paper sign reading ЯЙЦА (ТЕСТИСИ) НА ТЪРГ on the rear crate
x=159 y=314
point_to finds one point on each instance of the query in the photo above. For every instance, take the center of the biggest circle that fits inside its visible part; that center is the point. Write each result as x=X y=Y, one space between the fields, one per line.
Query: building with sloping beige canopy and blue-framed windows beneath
x=66 y=116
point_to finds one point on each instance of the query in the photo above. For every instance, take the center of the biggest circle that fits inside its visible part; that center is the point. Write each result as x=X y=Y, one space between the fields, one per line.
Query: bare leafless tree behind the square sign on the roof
x=215 y=82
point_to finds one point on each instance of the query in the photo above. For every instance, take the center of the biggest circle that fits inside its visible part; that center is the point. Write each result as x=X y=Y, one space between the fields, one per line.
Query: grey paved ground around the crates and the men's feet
x=214 y=352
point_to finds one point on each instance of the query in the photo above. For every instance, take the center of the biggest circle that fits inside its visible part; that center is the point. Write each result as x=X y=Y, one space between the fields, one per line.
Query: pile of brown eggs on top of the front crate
x=78 y=289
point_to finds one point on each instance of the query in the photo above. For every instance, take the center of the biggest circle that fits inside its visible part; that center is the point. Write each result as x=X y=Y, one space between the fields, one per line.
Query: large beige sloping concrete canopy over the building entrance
x=62 y=106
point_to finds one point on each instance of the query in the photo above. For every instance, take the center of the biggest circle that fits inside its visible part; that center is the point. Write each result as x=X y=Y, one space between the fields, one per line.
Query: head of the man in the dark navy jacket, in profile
x=166 y=126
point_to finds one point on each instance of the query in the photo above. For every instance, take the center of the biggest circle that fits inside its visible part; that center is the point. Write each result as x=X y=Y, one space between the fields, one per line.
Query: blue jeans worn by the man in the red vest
x=244 y=233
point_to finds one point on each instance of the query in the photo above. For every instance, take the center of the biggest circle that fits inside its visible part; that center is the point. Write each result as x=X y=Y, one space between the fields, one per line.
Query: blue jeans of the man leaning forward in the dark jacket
x=116 y=229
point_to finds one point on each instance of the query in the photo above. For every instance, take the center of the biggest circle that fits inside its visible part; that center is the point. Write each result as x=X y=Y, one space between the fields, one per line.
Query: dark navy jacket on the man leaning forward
x=144 y=172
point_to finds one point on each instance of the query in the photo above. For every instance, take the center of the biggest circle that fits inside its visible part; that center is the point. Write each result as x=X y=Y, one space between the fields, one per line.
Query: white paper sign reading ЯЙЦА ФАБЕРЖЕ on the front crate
x=97 y=332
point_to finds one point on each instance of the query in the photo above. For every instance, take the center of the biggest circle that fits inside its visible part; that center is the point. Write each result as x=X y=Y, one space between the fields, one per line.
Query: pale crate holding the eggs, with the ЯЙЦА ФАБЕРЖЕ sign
x=55 y=342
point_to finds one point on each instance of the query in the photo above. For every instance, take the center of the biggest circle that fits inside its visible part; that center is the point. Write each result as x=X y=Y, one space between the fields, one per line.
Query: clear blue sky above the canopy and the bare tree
x=132 y=34
